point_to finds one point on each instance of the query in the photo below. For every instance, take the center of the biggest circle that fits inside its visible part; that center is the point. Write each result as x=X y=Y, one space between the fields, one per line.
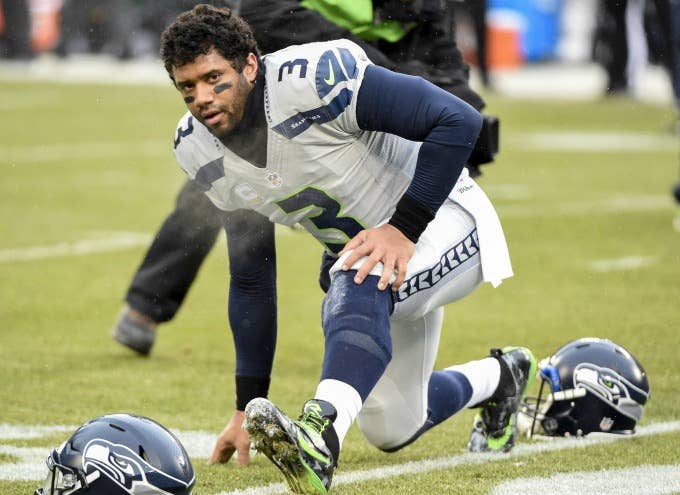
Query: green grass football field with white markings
x=582 y=189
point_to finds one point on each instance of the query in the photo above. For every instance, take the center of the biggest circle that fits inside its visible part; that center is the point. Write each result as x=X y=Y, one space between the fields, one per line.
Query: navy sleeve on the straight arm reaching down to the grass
x=252 y=291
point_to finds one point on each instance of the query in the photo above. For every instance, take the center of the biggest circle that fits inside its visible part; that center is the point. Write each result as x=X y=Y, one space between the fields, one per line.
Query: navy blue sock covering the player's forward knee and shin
x=356 y=323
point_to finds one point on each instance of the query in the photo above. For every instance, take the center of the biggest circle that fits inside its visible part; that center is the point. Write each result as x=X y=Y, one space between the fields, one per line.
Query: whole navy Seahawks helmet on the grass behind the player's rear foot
x=593 y=385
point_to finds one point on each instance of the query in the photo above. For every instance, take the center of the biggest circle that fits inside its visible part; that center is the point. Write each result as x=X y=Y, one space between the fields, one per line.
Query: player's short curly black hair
x=197 y=31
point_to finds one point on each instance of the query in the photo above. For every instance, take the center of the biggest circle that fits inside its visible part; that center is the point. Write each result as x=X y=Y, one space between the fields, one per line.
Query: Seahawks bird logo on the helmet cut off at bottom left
x=126 y=468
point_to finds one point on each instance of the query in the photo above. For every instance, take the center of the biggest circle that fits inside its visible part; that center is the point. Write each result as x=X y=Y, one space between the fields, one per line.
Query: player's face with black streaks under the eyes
x=214 y=91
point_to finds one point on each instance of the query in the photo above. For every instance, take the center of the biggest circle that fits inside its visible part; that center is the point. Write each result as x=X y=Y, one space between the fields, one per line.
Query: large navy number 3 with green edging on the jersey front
x=327 y=219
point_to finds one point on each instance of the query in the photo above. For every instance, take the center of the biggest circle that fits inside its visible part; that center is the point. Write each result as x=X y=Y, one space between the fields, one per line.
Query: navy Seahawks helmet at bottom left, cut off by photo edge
x=119 y=454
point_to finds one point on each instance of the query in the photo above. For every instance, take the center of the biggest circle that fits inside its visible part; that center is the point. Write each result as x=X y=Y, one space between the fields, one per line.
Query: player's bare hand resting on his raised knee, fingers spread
x=385 y=244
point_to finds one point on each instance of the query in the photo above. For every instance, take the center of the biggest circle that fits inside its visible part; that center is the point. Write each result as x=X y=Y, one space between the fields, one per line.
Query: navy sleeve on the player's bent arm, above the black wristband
x=416 y=109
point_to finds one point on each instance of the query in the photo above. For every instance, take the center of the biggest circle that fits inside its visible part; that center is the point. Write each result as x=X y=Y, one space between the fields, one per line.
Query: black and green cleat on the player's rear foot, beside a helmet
x=495 y=426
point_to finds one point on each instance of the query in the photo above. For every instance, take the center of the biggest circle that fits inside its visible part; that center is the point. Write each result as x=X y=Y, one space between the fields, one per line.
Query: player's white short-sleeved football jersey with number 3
x=322 y=170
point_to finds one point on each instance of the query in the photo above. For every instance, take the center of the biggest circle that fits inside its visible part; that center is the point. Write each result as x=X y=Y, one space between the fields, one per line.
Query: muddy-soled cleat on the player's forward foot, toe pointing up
x=305 y=451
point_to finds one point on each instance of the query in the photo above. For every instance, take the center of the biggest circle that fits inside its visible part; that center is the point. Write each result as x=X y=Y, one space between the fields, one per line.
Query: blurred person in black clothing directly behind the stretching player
x=417 y=38
